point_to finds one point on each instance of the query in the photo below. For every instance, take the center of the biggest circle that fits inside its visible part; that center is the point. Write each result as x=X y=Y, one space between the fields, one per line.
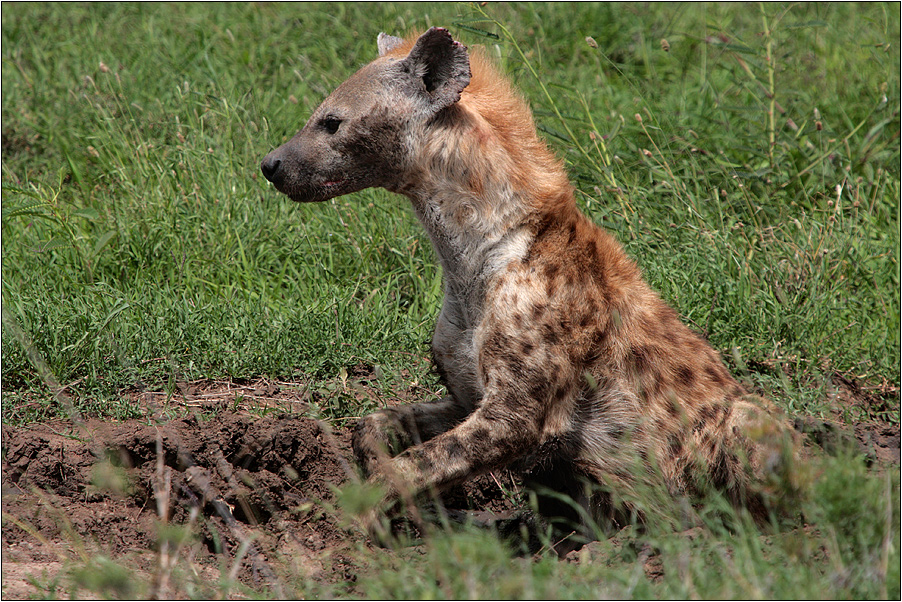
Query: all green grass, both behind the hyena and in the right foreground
x=758 y=189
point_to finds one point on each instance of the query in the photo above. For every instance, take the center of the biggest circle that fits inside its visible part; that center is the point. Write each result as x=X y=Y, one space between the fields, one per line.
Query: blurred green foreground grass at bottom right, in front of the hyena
x=706 y=562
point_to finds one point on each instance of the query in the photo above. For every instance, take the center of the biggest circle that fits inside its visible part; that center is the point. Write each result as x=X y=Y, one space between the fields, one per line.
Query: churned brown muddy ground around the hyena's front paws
x=256 y=488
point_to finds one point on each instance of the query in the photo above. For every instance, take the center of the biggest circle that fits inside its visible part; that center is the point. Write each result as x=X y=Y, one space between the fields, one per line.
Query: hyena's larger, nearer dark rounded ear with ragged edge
x=443 y=65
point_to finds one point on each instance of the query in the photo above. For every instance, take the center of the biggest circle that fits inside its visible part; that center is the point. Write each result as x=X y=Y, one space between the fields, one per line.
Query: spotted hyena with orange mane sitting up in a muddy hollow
x=557 y=357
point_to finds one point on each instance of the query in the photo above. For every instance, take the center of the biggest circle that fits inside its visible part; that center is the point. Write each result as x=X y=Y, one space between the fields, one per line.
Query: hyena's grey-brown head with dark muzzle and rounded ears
x=365 y=133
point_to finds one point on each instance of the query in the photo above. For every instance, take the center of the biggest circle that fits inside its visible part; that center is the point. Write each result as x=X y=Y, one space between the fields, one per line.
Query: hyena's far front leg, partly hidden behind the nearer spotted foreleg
x=384 y=434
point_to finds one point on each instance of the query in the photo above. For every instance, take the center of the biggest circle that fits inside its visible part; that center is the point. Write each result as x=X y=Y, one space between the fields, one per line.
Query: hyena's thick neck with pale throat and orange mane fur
x=481 y=186
